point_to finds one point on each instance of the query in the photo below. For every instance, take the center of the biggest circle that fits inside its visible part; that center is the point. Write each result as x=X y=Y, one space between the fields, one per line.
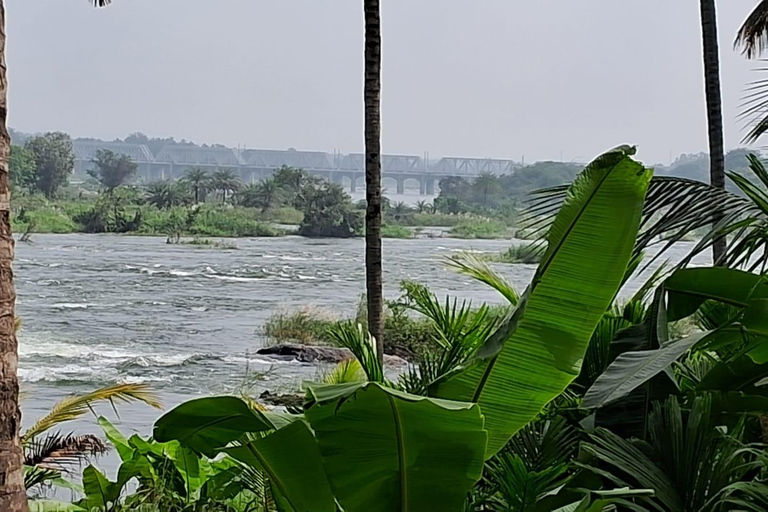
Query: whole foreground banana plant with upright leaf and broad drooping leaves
x=367 y=446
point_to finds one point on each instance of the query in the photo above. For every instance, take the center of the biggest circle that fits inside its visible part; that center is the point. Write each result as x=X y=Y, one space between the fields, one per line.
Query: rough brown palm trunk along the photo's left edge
x=12 y=494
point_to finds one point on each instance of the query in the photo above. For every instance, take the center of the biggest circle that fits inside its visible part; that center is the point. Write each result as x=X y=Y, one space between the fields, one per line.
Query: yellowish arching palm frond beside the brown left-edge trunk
x=73 y=407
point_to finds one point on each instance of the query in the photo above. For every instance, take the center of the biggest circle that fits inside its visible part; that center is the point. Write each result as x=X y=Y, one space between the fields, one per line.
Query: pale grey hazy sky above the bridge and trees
x=485 y=78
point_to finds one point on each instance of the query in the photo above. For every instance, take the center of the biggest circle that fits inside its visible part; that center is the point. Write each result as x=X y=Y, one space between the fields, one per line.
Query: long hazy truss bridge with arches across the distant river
x=253 y=165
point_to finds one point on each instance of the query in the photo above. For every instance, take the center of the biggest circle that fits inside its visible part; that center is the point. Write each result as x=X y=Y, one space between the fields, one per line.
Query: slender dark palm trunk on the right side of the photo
x=714 y=109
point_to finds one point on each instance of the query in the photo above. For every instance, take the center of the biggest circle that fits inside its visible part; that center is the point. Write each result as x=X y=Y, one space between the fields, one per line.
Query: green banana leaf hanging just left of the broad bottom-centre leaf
x=291 y=459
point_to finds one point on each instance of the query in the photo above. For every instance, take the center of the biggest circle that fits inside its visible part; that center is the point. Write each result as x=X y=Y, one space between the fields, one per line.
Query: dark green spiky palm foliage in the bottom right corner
x=688 y=461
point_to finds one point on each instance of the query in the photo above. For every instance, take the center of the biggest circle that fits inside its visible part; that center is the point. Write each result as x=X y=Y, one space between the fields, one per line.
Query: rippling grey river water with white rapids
x=102 y=309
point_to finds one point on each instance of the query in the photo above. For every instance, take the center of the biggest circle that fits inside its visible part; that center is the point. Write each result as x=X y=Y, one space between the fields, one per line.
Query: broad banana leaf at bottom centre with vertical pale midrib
x=387 y=451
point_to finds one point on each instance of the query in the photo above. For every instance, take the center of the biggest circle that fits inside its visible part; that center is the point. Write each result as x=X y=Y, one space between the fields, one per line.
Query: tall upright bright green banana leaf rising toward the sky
x=589 y=247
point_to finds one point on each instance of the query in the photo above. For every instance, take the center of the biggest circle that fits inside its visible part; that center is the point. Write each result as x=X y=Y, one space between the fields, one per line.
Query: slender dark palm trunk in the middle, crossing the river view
x=372 y=99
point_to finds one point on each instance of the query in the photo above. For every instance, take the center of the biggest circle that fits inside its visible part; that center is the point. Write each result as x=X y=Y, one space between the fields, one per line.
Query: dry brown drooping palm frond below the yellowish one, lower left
x=55 y=451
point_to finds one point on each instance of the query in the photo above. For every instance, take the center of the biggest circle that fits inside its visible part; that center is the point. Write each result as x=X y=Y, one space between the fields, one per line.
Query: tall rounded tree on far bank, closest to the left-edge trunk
x=54 y=161
